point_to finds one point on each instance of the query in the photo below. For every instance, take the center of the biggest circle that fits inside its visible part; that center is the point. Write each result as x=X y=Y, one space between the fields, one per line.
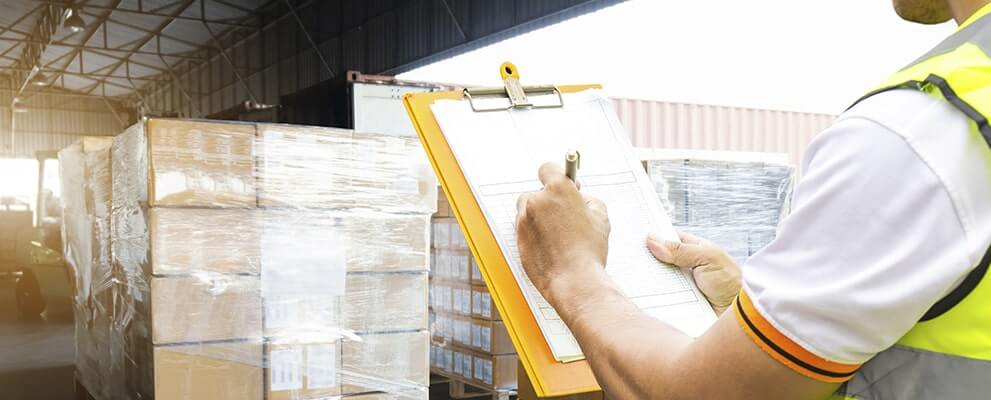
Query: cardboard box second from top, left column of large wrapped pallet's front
x=196 y=240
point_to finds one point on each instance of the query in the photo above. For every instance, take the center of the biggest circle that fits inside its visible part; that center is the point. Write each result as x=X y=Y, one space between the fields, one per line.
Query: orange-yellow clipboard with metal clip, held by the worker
x=549 y=377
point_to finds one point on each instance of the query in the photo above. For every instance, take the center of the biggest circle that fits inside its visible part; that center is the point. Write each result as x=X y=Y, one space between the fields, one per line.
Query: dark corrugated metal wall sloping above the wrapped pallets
x=380 y=36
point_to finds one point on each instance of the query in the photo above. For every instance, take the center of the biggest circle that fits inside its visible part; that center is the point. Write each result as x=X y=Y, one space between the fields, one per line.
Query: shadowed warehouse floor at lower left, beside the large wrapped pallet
x=36 y=356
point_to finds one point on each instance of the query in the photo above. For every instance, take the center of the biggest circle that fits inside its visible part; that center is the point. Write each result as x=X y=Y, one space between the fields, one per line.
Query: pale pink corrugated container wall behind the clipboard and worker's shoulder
x=703 y=127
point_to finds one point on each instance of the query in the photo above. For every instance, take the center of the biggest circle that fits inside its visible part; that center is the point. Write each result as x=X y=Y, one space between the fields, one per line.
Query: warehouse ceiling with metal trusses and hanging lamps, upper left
x=122 y=44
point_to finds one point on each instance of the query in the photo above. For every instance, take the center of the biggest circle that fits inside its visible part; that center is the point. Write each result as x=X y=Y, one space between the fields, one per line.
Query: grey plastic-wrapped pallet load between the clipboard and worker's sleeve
x=734 y=199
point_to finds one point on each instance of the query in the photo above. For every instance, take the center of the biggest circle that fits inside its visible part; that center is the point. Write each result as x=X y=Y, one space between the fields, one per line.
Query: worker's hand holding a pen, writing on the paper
x=561 y=233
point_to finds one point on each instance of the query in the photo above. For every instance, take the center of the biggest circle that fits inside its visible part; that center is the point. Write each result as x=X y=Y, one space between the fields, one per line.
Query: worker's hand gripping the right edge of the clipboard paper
x=715 y=272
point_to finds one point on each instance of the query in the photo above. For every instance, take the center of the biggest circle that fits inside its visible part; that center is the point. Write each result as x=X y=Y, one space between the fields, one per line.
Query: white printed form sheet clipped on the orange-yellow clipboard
x=500 y=152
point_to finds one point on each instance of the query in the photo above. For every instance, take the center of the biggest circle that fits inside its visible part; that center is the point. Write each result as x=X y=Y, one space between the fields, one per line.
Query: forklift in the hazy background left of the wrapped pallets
x=42 y=278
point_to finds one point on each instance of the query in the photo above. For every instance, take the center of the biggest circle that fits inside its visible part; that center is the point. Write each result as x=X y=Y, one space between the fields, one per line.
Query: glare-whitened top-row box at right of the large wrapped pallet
x=326 y=168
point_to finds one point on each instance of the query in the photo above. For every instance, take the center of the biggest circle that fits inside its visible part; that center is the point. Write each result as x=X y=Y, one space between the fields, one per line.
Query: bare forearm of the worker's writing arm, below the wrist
x=627 y=349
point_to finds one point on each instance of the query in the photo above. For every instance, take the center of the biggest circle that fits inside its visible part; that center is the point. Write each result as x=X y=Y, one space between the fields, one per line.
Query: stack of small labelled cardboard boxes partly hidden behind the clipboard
x=470 y=341
